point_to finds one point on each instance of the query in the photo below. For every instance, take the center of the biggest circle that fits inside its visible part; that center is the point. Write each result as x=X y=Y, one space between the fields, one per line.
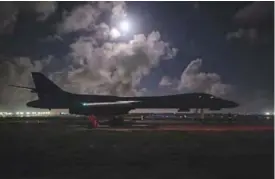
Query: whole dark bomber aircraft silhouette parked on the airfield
x=50 y=96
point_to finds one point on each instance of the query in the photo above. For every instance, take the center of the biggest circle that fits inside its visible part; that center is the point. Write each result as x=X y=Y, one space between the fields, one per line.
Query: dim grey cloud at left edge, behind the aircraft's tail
x=17 y=71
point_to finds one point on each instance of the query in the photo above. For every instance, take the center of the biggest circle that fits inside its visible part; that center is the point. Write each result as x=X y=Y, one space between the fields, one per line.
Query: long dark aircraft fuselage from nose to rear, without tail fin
x=181 y=101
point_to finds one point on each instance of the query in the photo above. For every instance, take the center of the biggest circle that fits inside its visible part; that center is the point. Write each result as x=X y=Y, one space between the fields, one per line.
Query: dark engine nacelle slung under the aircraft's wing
x=100 y=110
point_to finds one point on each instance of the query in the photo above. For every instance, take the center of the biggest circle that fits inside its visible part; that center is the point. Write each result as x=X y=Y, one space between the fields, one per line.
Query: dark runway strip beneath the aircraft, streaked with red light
x=84 y=125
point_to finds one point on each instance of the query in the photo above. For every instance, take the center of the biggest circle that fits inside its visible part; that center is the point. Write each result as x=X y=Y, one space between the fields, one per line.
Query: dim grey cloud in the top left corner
x=10 y=10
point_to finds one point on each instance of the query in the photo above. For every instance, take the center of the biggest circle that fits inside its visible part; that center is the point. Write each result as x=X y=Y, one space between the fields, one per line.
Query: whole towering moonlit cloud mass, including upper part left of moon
x=99 y=63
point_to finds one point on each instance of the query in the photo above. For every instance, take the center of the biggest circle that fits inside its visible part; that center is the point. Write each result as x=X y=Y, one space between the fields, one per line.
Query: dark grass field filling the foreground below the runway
x=59 y=151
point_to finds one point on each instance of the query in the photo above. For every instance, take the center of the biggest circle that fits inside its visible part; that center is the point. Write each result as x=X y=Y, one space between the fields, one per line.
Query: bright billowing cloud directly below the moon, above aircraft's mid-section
x=116 y=67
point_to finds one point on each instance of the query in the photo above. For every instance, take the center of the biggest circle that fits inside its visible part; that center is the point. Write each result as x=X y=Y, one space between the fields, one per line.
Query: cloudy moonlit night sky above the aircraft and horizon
x=223 y=48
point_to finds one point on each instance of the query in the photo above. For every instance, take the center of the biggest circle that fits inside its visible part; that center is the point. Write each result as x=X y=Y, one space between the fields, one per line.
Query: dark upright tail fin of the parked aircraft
x=45 y=87
